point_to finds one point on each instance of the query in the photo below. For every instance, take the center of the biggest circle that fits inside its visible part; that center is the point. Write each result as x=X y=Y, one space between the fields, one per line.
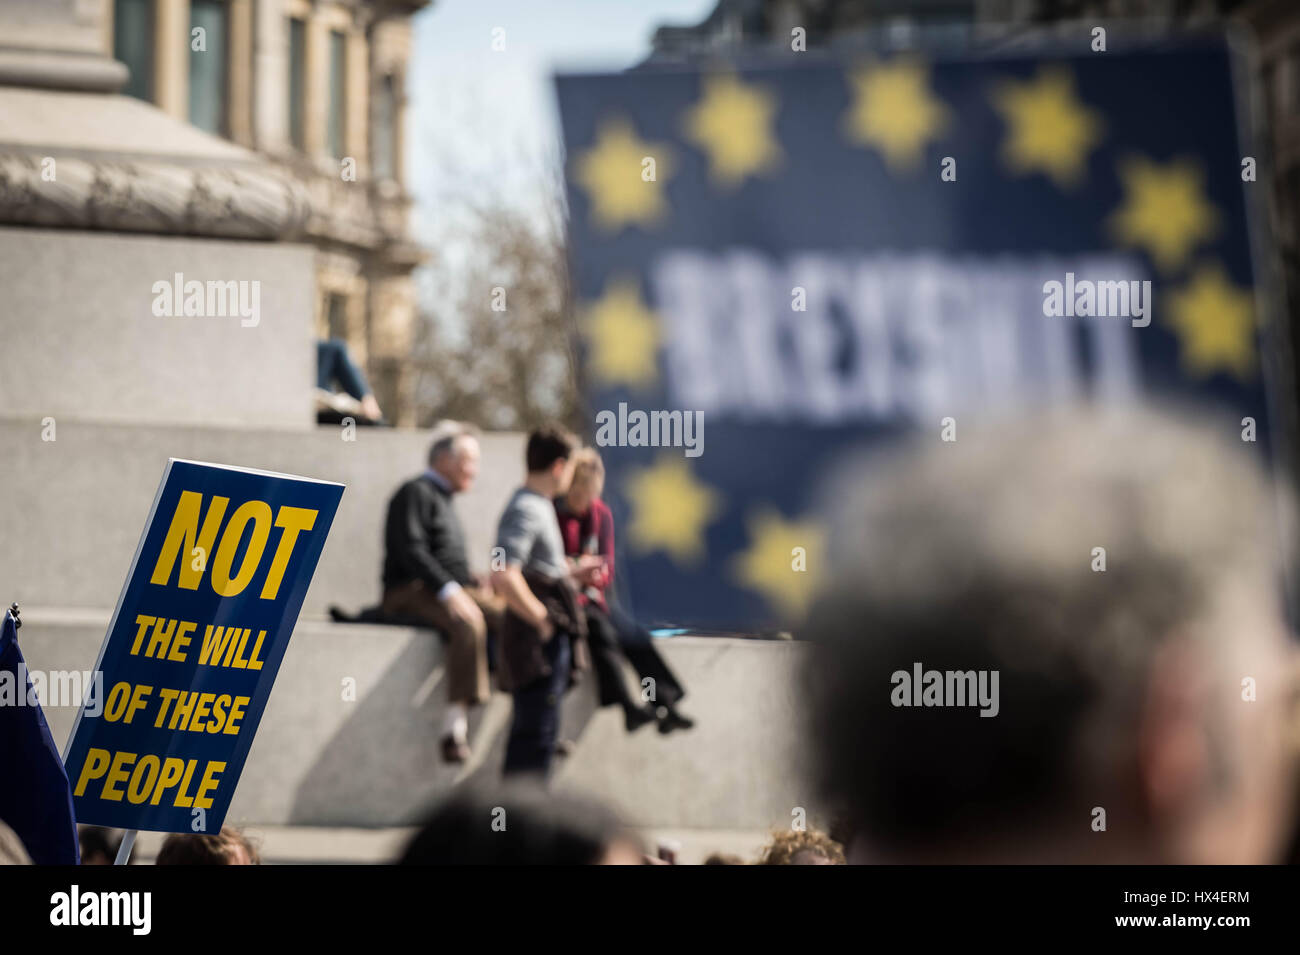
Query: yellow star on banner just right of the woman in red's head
x=670 y=510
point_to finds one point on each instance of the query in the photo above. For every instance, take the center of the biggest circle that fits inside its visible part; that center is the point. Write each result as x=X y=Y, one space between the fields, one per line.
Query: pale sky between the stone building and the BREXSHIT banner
x=483 y=123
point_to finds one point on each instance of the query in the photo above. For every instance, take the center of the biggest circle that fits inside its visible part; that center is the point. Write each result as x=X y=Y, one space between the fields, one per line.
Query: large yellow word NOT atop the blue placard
x=187 y=533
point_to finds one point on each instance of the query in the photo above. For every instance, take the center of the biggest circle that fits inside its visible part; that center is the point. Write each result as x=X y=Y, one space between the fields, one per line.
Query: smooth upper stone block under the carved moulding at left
x=81 y=341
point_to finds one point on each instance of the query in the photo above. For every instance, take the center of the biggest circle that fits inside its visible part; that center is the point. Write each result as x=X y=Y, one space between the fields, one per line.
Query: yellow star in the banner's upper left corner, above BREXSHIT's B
x=613 y=172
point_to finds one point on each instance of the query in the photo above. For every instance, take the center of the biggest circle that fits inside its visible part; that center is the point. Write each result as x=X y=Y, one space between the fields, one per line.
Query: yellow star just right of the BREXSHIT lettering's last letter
x=1215 y=322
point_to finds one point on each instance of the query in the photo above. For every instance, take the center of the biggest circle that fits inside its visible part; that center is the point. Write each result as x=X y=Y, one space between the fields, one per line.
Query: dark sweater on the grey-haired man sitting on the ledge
x=423 y=539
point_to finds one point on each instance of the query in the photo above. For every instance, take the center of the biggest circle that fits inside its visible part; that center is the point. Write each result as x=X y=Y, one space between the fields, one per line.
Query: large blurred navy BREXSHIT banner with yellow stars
x=811 y=257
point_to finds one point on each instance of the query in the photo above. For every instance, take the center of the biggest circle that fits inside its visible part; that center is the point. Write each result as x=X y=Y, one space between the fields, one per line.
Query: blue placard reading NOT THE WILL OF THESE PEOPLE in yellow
x=194 y=646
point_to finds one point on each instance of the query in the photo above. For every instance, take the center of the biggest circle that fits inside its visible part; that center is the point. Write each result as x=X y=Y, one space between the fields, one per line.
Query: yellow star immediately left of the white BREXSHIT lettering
x=623 y=335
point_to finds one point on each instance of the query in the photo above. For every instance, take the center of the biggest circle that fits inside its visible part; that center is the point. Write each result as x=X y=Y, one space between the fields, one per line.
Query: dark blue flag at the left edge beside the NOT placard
x=36 y=800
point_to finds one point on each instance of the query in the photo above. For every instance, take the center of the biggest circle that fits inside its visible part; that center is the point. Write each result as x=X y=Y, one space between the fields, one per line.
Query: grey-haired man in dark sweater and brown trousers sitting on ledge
x=427 y=578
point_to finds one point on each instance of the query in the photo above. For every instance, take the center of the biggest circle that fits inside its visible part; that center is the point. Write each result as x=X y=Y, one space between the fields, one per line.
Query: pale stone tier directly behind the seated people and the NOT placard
x=76 y=506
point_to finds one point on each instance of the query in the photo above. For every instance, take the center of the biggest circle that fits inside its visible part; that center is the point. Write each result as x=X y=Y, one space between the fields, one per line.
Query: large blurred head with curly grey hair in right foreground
x=1059 y=643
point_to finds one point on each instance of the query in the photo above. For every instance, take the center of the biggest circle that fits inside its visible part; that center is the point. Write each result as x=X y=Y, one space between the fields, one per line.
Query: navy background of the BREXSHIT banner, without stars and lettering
x=829 y=194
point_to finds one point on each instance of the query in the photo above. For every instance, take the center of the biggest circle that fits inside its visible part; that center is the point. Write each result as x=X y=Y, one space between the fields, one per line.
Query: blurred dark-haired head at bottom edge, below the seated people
x=522 y=827
